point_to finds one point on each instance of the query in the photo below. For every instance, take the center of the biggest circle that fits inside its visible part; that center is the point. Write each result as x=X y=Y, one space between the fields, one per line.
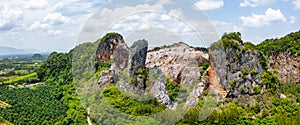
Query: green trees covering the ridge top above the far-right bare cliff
x=289 y=43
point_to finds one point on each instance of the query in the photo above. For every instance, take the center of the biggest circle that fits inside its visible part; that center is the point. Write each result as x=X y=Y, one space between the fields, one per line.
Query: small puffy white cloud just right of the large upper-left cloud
x=56 y=19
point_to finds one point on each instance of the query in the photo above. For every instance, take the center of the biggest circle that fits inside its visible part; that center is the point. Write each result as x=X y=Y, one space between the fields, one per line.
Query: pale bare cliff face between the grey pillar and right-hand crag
x=181 y=64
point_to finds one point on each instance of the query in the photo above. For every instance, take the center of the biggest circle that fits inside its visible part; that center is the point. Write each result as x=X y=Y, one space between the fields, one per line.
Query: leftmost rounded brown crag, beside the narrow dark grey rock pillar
x=112 y=49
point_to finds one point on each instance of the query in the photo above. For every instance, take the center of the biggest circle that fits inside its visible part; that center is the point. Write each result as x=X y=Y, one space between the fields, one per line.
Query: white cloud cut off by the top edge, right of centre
x=208 y=4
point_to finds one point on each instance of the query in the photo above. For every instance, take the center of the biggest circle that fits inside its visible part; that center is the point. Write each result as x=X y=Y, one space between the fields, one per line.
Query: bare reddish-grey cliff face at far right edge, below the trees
x=286 y=66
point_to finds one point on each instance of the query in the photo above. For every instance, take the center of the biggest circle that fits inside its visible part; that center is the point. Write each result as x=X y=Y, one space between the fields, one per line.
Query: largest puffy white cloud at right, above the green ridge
x=270 y=16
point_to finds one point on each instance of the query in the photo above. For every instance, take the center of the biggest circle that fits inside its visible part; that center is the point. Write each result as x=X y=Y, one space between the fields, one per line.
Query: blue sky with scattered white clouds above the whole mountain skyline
x=59 y=25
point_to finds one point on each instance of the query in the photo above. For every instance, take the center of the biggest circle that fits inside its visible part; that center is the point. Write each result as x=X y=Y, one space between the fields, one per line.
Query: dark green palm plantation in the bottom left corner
x=28 y=106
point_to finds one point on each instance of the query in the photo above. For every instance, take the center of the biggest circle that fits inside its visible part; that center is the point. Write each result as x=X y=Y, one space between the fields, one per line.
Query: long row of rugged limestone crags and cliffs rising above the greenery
x=232 y=67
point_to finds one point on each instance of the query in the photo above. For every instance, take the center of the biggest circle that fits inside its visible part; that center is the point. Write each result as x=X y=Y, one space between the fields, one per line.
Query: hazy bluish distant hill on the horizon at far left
x=14 y=51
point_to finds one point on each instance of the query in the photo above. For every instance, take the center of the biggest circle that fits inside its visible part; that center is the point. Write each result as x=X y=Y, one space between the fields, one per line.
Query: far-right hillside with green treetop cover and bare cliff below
x=283 y=56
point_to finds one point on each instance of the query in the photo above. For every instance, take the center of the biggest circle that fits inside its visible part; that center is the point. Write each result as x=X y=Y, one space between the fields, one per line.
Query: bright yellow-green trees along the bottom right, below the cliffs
x=269 y=109
